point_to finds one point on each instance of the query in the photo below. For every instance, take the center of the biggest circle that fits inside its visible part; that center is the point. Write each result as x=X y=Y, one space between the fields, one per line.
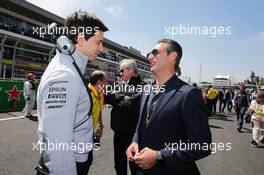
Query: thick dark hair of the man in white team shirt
x=83 y=20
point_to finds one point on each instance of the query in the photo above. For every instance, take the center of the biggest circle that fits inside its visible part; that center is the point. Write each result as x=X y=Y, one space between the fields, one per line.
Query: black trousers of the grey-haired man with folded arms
x=121 y=143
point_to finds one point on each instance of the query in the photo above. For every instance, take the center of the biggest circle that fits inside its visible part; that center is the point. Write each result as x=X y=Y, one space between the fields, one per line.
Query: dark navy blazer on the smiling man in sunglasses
x=179 y=117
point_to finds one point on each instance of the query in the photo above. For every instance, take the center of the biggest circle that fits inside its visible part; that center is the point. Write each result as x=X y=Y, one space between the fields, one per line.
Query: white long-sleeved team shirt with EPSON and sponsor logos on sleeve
x=65 y=129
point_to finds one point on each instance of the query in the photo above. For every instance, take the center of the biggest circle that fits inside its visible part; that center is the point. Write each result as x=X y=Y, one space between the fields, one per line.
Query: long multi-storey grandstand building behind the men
x=23 y=50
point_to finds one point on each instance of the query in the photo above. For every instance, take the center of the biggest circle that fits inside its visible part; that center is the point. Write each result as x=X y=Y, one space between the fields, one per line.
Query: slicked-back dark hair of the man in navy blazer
x=173 y=46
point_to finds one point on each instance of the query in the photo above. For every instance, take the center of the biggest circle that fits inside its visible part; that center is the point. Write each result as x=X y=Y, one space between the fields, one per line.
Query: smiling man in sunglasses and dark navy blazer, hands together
x=172 y=131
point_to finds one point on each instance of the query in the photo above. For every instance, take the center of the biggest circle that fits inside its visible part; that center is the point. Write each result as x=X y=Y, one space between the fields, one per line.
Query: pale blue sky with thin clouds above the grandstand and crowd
x=141 y=23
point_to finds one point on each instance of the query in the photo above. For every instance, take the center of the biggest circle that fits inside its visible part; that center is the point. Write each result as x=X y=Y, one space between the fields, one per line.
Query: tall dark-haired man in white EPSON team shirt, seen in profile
x=65 y=127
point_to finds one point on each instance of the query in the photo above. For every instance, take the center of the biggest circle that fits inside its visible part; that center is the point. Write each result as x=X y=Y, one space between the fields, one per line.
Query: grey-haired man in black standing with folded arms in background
x=124 y=114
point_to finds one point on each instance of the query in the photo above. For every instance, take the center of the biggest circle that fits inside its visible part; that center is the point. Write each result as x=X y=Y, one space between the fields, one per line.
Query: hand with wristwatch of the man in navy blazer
x=146 y=159
